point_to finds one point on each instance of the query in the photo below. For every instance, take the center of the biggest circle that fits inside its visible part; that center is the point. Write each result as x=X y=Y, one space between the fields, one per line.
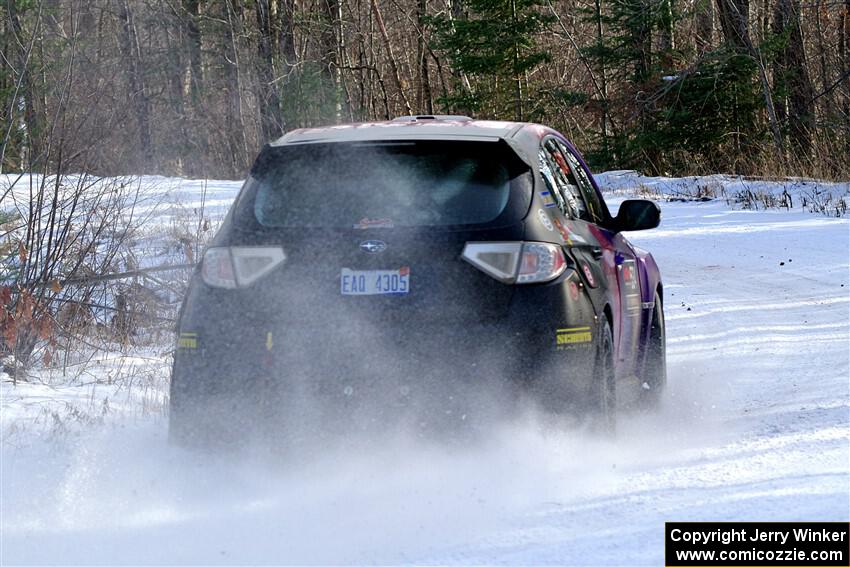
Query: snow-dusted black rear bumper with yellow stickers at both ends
x=227 y=358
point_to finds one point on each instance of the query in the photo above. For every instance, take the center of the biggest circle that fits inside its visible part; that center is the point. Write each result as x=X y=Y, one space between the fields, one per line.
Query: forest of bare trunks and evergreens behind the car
x=195 y=87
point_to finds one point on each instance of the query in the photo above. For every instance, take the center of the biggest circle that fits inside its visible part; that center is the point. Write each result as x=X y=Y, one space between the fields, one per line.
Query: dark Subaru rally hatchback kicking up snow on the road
x=415 y=259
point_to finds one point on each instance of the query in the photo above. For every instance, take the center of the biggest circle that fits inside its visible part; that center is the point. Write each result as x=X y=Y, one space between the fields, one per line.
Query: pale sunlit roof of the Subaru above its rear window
x=424 y=127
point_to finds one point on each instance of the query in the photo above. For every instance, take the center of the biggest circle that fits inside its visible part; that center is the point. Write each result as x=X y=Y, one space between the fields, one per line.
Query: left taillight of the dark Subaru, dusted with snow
x=239 y=266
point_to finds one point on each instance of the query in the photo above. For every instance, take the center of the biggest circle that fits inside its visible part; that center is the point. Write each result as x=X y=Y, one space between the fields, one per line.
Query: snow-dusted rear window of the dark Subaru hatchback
x=348 y=185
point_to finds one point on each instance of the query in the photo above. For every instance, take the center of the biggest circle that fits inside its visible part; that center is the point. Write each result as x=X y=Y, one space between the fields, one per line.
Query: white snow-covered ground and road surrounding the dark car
x=755 y=426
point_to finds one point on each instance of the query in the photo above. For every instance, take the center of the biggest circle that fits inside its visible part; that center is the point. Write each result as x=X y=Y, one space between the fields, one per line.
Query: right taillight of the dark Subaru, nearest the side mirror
x=517 y=262
